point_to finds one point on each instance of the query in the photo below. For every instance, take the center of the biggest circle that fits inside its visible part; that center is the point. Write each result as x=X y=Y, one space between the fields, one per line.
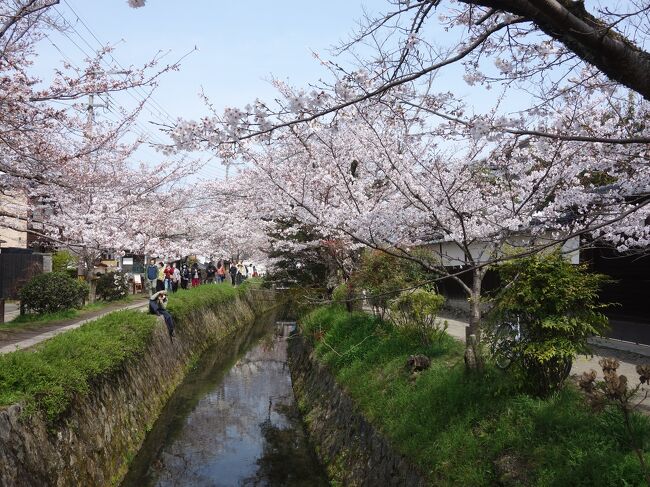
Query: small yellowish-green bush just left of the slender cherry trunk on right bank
x=415 y=311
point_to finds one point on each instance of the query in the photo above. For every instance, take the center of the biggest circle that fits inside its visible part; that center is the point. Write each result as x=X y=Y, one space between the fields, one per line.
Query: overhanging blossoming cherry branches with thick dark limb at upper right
x=575 y=94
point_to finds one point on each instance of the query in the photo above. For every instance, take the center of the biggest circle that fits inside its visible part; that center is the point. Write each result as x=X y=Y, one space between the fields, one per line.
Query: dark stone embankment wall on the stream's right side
x=353 y=451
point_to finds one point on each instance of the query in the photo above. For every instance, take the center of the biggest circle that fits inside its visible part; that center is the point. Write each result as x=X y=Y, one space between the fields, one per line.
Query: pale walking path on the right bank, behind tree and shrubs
x=628 y=354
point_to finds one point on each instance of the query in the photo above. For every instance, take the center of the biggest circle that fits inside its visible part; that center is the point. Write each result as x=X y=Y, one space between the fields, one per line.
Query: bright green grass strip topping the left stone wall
x=48 y=376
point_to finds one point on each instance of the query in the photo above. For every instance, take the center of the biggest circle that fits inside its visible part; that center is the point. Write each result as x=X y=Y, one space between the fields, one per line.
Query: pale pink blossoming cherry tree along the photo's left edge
x=72 y=178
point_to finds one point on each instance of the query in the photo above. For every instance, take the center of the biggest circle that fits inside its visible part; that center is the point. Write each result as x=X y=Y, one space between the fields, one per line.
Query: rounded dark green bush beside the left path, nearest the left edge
x=51 y=292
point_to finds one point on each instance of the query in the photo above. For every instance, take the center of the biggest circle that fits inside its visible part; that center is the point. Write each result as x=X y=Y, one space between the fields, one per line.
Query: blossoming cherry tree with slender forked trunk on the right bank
x=375 y=178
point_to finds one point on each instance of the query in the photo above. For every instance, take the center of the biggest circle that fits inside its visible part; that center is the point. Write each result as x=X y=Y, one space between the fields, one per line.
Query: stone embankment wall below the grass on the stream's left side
x=93 y=443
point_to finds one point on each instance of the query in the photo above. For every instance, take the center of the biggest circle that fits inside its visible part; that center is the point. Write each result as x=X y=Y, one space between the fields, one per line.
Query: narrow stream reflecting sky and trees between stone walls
x=232 y=422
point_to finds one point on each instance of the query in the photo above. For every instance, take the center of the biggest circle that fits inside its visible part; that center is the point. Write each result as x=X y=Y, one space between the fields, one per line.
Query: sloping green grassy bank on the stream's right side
x=470 y=430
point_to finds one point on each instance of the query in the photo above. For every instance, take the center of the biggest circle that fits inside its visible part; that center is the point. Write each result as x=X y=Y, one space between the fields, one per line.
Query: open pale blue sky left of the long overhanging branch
x=240 y=46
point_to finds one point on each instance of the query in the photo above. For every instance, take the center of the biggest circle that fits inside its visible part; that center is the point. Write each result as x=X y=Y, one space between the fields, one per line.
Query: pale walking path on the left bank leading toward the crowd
x=27 y=335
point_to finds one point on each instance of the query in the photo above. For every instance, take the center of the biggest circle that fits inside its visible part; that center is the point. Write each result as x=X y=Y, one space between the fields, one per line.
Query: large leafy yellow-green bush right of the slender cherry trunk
x=557 y=306
